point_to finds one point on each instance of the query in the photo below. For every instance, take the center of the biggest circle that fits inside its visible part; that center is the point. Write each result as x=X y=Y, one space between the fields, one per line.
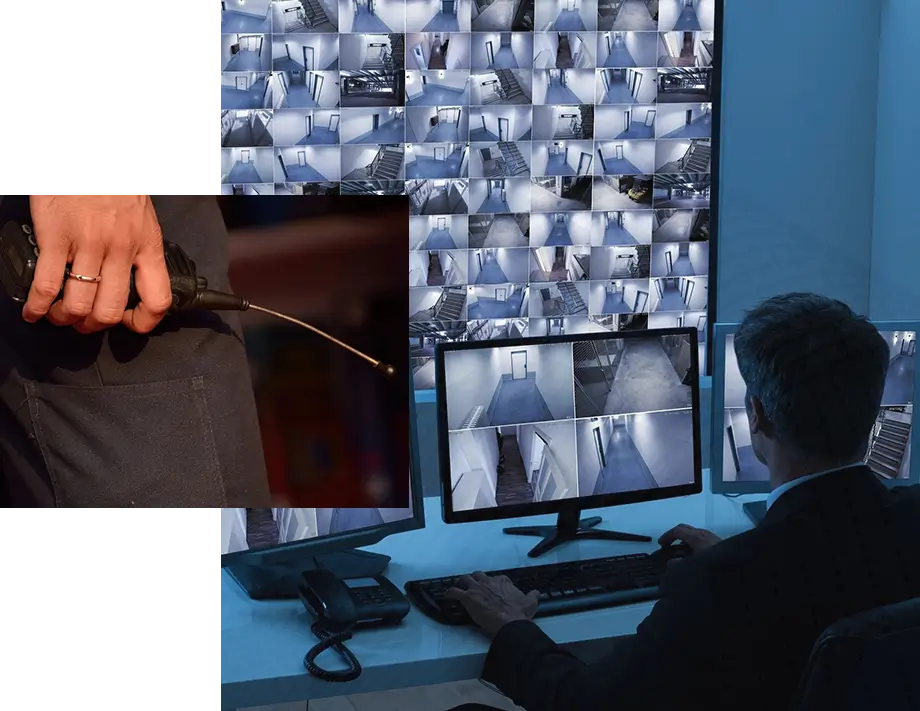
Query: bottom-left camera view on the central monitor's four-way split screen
x=513 y=465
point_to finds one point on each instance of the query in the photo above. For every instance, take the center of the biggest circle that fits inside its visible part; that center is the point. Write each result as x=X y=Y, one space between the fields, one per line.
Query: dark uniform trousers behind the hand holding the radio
x=119 y=421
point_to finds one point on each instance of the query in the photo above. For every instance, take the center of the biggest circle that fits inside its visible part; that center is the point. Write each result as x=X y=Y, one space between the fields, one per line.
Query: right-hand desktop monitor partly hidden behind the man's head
x=891 y=456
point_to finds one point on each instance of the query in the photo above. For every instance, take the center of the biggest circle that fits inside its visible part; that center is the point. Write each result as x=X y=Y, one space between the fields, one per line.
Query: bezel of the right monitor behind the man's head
x=717 y=409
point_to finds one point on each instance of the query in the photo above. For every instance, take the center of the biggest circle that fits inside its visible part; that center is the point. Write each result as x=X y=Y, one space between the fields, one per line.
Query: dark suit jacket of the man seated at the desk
x=735 y=624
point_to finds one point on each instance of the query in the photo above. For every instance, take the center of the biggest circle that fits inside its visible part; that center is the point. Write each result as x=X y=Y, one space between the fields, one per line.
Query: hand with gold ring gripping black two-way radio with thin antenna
x=135 y=265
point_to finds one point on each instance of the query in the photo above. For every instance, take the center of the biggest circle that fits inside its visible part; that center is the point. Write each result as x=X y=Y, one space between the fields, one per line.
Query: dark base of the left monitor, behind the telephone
x=278 y=581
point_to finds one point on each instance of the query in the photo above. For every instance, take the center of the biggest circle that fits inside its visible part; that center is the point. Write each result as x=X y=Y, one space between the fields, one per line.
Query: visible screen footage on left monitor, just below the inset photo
x=251 y=529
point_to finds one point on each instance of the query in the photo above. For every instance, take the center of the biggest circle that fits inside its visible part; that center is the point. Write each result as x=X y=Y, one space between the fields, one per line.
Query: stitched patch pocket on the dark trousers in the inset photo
x=137 y=447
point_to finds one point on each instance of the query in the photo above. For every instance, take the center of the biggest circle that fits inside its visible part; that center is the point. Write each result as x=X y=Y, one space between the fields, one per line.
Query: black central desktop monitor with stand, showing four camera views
x=562 y=424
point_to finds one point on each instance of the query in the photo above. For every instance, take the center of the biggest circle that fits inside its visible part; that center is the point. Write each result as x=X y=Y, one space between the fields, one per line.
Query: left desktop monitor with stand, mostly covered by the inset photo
x=266 y=550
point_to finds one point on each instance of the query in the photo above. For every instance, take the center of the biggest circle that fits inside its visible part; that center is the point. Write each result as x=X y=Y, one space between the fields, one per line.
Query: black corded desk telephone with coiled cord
x=340 y=606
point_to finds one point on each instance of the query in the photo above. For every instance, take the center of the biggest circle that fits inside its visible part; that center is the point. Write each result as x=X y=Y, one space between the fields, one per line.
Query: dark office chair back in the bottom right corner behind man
x=866 y=661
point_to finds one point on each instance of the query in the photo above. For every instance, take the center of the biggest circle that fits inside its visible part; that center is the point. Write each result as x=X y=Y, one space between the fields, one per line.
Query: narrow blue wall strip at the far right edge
x=895 y=286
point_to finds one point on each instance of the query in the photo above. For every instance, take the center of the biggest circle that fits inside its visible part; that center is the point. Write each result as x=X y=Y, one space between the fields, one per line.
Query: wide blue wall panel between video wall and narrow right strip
x=799 y=85
